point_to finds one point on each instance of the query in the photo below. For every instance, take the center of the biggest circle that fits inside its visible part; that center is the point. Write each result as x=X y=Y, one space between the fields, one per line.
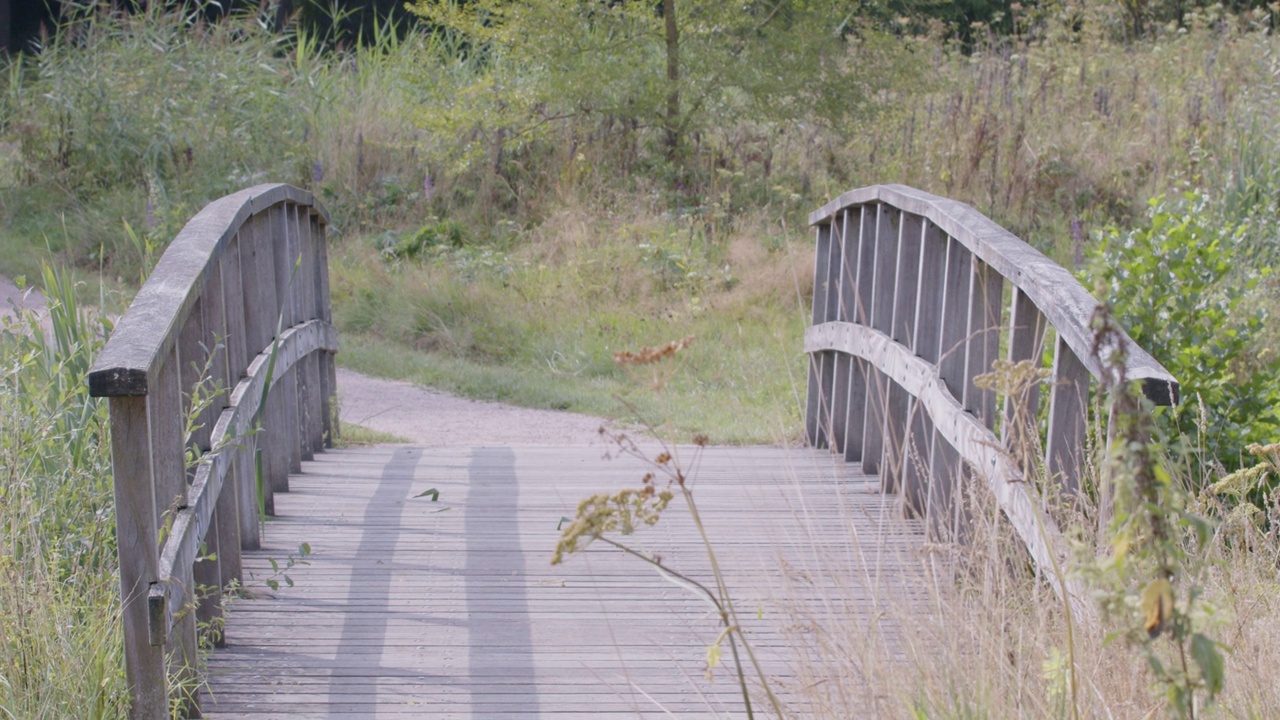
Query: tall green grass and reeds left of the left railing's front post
x=61 y=655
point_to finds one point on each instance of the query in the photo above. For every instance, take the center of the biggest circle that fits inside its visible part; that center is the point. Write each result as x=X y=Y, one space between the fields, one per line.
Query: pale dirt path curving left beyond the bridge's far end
x=420 y=416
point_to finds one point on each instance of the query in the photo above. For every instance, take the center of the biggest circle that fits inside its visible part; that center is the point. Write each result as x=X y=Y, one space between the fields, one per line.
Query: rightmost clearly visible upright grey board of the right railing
x=1068 y=413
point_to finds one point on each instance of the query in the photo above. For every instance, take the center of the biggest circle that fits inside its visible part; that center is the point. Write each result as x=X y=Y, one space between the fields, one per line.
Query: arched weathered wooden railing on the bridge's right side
x=909 y=307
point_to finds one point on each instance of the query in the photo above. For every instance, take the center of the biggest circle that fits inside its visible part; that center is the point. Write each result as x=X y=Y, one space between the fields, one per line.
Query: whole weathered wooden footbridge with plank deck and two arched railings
x=427 y=587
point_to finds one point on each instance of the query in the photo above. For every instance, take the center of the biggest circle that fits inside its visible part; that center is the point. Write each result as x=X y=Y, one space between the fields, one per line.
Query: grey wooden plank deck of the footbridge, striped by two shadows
x=452 y=610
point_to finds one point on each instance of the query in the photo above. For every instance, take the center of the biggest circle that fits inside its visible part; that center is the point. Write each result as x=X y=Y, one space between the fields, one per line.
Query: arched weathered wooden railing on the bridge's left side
x=243 y=293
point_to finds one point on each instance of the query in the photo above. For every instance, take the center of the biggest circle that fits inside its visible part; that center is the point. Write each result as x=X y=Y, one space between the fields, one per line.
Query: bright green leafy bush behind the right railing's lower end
x=1180 y=285
